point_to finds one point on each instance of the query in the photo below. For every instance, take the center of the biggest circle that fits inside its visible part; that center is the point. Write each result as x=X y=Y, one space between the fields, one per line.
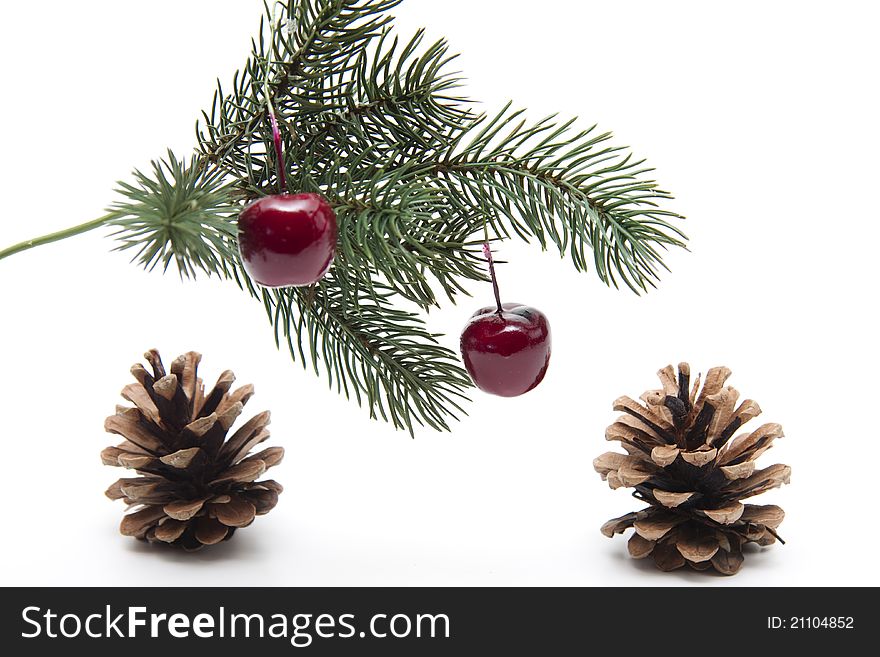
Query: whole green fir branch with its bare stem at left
x=377 y=126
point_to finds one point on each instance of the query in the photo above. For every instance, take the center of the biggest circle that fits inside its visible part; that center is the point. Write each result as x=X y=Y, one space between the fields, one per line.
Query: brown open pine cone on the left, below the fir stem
x=194 y=487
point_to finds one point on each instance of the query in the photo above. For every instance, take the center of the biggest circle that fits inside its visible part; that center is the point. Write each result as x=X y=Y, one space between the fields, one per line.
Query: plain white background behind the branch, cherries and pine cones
x=760 y=117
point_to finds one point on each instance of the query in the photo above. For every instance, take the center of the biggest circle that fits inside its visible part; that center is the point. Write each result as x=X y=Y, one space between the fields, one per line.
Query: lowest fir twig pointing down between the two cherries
x=382 y=356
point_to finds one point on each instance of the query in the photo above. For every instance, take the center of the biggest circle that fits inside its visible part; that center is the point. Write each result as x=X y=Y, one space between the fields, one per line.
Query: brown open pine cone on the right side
x=683 y=460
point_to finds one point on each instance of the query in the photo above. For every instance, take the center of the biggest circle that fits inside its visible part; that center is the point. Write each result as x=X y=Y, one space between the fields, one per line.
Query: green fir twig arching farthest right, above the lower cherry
x=570 y=188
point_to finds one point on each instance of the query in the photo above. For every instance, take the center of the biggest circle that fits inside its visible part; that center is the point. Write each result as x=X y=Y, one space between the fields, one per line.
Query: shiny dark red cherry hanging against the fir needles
x=287 y=239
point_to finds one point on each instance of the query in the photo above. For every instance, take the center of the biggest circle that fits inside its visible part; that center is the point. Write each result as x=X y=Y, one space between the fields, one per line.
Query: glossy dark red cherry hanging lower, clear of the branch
x=506 y=353
